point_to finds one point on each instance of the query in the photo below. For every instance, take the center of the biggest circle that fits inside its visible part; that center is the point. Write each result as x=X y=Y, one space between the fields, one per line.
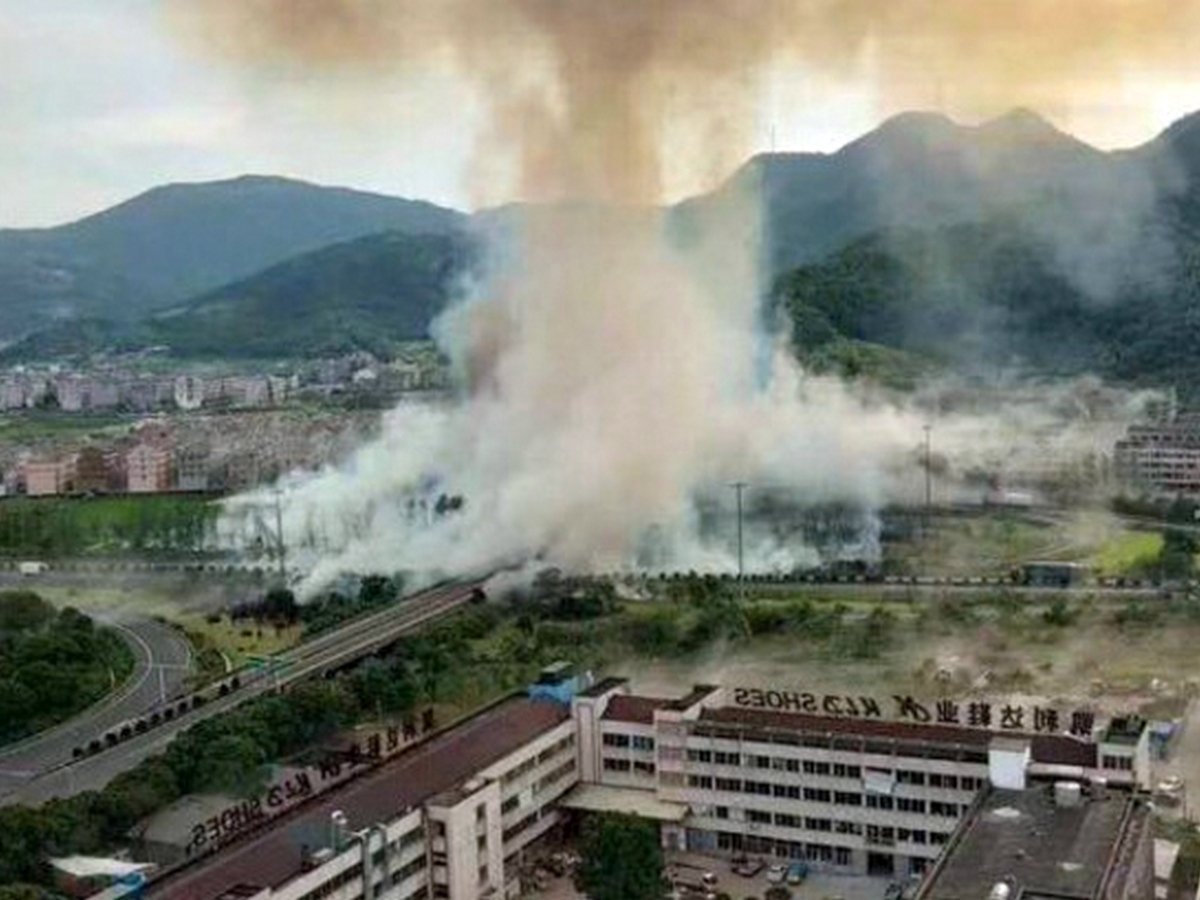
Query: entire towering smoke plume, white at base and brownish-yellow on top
x=614 y=377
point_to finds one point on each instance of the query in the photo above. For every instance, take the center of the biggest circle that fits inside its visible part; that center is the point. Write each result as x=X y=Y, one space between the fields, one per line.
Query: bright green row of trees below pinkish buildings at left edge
x=107 y=526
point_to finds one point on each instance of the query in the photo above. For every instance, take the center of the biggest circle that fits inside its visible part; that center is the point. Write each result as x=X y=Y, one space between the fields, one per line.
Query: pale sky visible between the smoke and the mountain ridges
x=100 y=100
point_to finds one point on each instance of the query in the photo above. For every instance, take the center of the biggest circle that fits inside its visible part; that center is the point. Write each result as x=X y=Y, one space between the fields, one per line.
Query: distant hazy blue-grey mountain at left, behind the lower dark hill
x=181 y=241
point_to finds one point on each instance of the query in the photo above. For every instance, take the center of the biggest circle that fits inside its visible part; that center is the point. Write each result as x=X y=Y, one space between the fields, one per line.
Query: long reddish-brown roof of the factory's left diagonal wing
x=274 y=855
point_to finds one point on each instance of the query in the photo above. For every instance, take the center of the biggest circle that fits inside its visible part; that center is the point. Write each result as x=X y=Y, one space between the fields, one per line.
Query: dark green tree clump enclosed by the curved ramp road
x=53 y=664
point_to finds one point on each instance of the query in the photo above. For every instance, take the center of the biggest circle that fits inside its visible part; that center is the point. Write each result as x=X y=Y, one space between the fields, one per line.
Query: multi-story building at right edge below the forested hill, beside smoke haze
x=1162 y=459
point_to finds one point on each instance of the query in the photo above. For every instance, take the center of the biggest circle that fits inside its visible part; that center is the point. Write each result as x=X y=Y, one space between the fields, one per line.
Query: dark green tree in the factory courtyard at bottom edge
x=622 y=860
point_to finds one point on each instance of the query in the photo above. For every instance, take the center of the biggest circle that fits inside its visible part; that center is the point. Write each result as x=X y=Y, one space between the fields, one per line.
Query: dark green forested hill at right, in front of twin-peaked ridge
x=993 y=296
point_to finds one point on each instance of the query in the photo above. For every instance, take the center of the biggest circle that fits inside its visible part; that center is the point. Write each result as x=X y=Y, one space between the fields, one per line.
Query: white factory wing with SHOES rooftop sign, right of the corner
x=754 y=772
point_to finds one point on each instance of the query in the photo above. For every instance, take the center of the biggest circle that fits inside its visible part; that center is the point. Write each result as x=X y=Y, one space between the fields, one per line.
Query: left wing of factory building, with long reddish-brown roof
x=448 y=819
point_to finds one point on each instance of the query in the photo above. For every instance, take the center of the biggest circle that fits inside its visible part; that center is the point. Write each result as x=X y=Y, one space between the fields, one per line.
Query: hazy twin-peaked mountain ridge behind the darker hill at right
x=925 y=171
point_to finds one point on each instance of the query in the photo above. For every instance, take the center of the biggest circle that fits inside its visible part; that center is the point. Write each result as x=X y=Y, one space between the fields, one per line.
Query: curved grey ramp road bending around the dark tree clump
x=163 y=659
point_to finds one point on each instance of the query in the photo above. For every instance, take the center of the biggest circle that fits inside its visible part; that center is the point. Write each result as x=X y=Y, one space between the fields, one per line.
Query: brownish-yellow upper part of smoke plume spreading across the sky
x=583 y=91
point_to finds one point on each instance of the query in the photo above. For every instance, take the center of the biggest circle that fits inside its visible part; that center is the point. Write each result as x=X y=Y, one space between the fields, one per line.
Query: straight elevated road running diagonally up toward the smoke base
x=358 y=639
